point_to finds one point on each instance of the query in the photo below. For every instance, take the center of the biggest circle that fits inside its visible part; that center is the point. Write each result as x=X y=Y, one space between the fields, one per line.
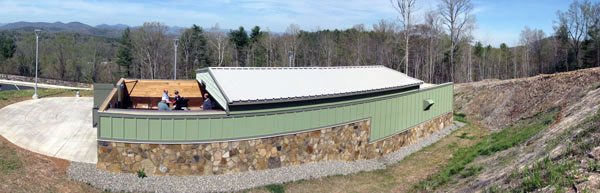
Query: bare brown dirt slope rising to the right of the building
x=498 y=104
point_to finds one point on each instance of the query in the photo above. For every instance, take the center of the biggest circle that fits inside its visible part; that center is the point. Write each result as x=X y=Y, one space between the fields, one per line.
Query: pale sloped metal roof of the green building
x=252 y=85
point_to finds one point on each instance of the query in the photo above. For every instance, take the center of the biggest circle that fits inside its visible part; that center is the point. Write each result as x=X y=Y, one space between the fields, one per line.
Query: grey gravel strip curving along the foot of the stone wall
x=104 y=180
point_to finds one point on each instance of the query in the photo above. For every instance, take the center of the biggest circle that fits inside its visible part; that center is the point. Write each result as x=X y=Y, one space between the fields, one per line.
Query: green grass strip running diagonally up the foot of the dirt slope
x=507 y=138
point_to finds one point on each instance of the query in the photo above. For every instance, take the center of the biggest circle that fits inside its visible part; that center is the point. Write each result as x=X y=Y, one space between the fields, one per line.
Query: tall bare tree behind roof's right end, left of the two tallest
x=405 y=8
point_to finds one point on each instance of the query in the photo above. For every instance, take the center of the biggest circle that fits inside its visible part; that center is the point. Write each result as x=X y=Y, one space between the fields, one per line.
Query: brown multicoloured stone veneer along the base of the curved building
x=346 y=143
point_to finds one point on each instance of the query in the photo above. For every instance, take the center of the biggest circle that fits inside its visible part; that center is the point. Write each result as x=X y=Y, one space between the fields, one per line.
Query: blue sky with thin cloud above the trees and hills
x=497 y=20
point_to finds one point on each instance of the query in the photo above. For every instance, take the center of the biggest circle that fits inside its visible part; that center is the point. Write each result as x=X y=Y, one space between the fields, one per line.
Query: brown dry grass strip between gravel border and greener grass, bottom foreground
x=400 y=177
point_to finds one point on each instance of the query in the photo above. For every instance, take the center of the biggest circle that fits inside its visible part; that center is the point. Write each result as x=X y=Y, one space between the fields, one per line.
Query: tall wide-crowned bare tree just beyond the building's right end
x=456 y=15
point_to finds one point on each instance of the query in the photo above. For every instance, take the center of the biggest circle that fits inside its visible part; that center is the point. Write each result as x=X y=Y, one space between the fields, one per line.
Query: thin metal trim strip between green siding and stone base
x=232 y=139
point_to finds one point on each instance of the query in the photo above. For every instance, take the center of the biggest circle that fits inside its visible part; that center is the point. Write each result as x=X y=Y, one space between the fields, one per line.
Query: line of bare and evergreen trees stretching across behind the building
x=439 y=49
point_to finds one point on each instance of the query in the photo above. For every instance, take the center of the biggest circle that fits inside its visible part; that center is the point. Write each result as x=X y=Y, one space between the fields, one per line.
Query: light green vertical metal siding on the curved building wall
x=389 y=115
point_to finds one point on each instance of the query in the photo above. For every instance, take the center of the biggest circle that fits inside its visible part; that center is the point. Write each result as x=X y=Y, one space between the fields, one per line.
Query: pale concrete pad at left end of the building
x=58 y=127
